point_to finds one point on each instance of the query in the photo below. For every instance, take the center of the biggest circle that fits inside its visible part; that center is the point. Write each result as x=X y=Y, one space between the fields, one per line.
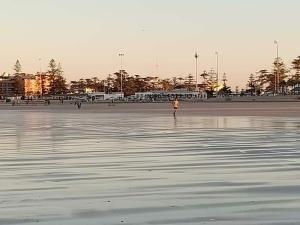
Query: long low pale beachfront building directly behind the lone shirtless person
x=168 y=95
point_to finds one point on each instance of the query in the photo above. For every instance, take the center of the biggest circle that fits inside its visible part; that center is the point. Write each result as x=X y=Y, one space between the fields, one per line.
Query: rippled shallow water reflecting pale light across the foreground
x=89 y=168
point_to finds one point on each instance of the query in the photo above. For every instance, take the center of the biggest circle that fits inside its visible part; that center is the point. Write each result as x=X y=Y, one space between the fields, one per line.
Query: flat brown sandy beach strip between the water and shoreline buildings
x=275 y=109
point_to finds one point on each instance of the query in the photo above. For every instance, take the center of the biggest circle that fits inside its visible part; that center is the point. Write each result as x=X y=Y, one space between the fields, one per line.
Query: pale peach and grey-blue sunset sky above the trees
x=157 y=37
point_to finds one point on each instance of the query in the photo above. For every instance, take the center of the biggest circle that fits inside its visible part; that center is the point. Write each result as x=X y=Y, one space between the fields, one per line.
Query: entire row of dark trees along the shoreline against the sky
x=280 y=79
